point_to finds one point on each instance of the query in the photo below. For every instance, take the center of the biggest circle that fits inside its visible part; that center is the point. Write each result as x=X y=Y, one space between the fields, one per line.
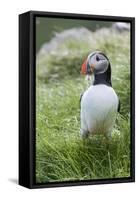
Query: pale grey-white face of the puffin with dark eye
x=98 y=63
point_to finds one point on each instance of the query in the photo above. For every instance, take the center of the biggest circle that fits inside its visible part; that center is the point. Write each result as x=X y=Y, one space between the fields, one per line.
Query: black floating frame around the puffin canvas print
x=27 y=72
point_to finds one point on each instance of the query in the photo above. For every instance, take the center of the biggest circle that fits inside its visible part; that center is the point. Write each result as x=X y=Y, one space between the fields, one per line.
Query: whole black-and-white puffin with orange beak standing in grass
x=99 y=103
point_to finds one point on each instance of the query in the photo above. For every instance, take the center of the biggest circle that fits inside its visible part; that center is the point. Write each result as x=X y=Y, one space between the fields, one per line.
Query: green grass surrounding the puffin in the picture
x=60 y=152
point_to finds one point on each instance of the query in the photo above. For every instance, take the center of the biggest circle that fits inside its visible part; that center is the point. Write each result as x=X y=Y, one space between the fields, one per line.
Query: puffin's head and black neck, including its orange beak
x=98 y=64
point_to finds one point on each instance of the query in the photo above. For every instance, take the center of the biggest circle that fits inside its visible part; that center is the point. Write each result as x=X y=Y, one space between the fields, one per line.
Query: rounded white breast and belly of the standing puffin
x=98 y=109
